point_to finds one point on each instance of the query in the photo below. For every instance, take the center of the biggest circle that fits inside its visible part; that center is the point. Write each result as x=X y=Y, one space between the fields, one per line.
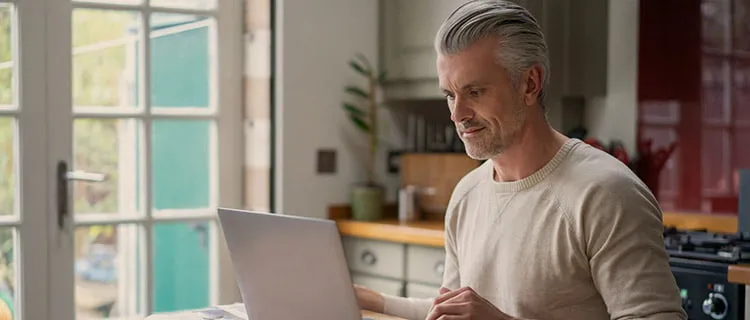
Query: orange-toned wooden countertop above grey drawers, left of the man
x=428 y=233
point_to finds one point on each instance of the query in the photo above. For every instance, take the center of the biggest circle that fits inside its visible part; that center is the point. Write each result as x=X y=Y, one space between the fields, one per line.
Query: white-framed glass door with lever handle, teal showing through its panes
x=145 y=143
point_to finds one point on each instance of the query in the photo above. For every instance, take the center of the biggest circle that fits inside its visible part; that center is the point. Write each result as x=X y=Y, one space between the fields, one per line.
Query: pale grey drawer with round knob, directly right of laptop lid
x=375 y=257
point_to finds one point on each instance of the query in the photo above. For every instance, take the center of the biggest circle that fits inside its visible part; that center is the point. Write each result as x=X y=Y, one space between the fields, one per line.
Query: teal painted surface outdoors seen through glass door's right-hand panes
x=180 y=170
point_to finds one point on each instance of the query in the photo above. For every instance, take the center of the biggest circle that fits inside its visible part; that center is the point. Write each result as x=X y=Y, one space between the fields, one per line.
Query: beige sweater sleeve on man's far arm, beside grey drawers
x=417 y=309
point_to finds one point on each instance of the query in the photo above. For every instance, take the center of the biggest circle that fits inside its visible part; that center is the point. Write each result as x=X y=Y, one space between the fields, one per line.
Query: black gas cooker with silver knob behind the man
x=700 y=261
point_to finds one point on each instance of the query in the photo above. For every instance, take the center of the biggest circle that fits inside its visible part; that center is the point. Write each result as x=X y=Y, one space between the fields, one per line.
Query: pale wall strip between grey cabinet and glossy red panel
x=614 y=116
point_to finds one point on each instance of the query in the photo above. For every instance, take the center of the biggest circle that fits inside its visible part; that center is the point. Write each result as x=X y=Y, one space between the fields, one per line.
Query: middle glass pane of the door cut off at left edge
x=7 y=166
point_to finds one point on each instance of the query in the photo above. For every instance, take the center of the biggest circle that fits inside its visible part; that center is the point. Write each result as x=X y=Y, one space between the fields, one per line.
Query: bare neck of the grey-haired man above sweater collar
x=533 y=150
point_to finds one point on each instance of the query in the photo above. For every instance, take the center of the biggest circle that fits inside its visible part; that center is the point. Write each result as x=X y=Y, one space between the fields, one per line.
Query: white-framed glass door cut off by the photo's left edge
x=23 y=190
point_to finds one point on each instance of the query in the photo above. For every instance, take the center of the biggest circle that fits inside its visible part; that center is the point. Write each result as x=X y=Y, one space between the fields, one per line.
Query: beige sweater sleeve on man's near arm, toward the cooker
x=623 y=234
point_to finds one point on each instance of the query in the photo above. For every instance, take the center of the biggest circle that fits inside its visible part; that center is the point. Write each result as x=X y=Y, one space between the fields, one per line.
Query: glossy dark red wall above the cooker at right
x=693 y=62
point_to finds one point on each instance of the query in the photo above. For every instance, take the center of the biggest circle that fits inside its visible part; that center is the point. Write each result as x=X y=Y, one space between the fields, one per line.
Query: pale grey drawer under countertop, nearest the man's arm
x=425 y=264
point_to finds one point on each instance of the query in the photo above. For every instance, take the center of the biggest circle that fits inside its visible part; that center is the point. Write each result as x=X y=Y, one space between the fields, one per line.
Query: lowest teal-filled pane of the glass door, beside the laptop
x=181 y=265
